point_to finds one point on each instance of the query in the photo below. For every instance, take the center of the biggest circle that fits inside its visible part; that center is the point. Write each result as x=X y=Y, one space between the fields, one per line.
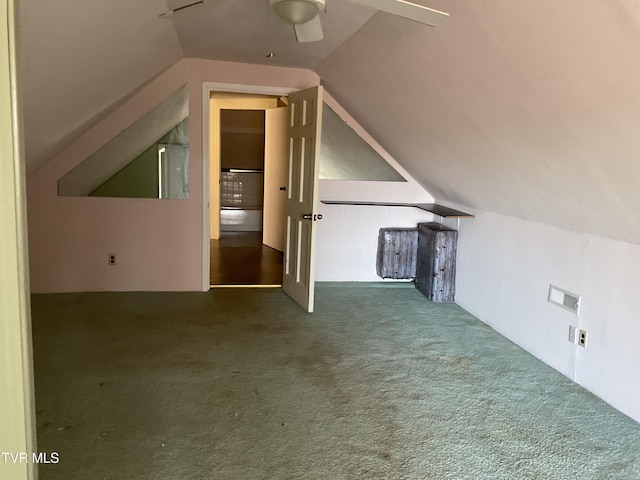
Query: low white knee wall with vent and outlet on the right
x=505 y=266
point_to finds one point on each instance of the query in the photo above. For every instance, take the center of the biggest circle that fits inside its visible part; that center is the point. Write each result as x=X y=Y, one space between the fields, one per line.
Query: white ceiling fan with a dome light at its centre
x=304 y=15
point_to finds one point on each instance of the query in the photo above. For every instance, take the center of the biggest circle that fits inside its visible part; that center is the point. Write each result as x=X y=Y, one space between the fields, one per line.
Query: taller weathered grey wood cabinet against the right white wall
x=436 y=262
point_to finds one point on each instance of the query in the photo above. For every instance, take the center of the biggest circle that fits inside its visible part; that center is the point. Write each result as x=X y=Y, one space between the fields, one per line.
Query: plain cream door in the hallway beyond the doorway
x=275 y=177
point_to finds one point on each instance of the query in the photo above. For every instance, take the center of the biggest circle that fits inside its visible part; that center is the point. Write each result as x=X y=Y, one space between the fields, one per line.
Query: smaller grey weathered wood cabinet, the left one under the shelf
x=397 y=253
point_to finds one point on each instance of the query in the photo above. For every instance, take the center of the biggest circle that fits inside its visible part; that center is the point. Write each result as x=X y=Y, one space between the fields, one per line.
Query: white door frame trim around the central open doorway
x=207 y=89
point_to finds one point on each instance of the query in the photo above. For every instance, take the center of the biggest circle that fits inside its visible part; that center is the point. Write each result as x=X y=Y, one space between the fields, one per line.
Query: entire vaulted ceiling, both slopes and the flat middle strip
x=527 y=108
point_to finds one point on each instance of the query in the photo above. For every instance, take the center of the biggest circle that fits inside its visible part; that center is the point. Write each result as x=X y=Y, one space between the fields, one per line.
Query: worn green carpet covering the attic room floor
x=240 y=384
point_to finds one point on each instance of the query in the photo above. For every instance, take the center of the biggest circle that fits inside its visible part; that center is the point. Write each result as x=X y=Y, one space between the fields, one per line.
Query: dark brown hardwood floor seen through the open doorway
x=240 y=258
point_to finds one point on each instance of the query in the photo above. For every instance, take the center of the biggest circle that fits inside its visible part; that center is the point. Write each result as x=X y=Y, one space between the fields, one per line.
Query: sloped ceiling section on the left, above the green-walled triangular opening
x=78 y=59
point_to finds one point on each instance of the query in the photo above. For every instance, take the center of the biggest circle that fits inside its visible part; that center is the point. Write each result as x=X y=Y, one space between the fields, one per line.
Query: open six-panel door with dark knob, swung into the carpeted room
x=305 y=122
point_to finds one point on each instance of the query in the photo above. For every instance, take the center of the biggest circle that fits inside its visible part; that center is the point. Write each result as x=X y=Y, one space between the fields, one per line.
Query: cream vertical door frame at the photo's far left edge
x=17 y=405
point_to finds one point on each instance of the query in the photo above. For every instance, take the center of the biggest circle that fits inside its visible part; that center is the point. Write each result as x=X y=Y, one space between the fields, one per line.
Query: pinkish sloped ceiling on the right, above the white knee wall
x=526 y=108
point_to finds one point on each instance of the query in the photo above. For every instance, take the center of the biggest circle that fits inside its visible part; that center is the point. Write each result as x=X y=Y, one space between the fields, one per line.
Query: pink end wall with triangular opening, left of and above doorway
x=159 y=243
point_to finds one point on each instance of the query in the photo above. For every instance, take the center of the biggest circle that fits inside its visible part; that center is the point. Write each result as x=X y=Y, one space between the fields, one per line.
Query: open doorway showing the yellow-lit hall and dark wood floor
x=251 y=164
